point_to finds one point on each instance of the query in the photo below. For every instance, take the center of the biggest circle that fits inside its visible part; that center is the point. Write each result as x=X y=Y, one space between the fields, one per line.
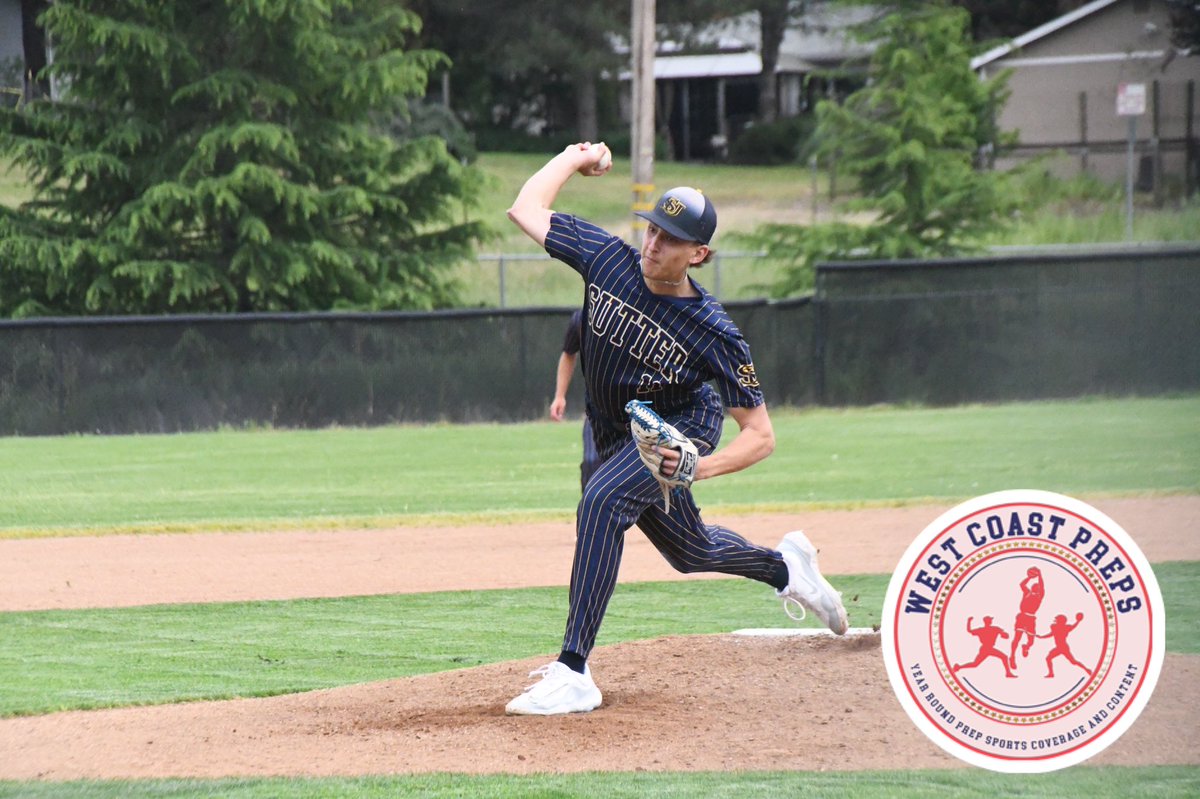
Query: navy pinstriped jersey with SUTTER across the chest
x=643 y=346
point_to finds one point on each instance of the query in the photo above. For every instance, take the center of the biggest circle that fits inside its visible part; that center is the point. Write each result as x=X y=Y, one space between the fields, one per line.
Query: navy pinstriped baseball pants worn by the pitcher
x=622 y=492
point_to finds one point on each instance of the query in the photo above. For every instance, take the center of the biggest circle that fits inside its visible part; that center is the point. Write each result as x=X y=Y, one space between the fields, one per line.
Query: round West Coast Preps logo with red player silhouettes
x=1023 y=632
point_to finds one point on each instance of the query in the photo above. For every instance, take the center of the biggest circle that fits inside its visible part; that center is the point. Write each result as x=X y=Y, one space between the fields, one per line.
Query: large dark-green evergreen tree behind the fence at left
x=220 y=157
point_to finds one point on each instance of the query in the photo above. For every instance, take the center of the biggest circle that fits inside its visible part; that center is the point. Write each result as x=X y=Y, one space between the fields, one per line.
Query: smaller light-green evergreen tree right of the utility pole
x=917 y=139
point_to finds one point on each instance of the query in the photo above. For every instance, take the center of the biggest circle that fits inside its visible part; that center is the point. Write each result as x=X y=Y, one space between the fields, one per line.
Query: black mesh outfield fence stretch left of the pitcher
x=182 y=374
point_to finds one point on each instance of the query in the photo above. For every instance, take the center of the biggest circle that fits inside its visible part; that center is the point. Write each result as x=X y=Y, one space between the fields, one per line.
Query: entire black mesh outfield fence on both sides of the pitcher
x=901 y=332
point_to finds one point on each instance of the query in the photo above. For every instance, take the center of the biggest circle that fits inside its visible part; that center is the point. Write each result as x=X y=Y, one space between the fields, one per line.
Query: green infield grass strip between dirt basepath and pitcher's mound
x=58 y=660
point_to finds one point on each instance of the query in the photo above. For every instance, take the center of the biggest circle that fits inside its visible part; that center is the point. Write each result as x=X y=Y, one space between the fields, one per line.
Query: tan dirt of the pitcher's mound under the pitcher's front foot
x=680 y=704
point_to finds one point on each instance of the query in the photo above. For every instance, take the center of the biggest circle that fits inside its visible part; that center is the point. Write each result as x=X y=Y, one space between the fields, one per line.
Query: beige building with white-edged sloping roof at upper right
x=1069 y=77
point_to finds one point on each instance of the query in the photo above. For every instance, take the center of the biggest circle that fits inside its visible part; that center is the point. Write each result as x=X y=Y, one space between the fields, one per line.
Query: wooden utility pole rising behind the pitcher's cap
x=641 y=51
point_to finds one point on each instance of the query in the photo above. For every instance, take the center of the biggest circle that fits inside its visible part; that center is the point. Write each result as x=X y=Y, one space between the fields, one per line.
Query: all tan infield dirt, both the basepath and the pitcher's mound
x=679 y=704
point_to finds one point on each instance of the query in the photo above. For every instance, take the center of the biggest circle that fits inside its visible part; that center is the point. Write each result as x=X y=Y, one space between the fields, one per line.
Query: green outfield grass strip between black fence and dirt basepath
x=233 y=480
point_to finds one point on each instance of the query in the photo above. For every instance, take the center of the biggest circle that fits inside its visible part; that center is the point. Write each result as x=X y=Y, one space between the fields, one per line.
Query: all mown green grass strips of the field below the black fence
x=352 y=478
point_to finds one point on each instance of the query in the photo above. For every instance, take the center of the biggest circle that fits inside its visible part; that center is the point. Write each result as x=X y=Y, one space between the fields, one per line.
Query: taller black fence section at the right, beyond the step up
x=1015 y=328
